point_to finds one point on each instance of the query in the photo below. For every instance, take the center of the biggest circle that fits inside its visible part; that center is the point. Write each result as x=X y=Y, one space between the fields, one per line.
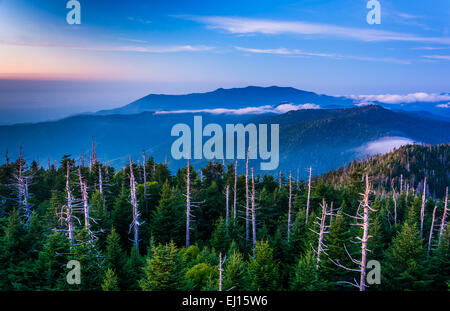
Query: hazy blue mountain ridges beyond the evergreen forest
x=323 y=138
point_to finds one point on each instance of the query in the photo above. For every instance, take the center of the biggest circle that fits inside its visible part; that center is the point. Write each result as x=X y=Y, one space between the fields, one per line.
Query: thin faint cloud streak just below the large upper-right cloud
x=284 y=51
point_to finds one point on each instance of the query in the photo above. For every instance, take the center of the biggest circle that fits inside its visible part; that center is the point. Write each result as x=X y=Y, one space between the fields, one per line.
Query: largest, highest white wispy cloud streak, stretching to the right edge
x=240 y=25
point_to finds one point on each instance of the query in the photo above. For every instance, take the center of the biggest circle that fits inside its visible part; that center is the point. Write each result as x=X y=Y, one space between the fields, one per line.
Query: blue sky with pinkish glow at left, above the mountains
x=123 y=50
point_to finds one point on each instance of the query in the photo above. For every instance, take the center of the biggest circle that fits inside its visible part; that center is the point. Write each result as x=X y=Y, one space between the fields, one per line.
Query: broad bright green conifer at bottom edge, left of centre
x=164 y=271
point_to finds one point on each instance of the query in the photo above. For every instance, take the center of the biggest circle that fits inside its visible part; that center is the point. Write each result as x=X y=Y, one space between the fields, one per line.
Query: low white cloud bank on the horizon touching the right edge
x=400 y=99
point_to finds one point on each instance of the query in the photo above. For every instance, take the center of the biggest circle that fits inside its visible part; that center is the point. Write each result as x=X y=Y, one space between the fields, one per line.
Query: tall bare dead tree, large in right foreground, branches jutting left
x=362 y=220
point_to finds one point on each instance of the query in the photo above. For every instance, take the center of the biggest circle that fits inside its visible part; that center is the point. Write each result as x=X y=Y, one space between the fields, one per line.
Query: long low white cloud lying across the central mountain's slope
x=283 y=108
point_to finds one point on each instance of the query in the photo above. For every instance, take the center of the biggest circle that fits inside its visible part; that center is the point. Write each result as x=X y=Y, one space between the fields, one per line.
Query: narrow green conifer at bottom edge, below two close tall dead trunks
x=262 y=269
